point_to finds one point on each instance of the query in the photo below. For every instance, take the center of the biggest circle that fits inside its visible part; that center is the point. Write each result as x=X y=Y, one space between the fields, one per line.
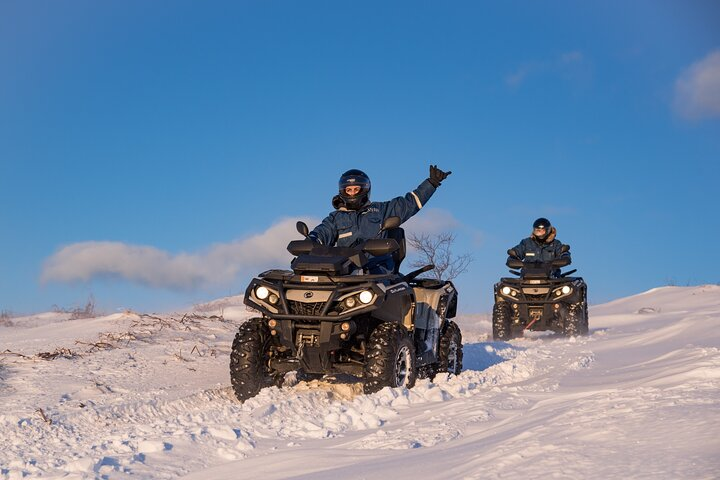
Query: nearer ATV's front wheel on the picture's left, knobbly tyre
x=249 y=359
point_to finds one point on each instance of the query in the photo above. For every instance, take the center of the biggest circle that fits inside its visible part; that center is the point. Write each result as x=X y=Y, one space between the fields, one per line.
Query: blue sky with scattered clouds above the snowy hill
x=156 y=154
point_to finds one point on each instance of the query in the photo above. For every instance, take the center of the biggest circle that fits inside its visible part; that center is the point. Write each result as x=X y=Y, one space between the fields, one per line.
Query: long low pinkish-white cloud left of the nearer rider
x=218 y=265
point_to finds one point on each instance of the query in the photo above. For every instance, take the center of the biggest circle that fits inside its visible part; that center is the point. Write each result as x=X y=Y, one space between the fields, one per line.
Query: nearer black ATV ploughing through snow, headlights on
x=329 y=315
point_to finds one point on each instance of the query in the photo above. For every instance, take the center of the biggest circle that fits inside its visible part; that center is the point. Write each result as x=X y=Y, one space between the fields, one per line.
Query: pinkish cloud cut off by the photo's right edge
x=697 y=90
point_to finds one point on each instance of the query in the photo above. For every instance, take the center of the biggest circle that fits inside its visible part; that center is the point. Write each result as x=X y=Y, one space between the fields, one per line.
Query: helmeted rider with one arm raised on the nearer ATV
x=357 y=219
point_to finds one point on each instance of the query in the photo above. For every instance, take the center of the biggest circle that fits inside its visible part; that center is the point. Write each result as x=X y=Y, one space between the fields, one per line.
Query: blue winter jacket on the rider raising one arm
x=348 y=228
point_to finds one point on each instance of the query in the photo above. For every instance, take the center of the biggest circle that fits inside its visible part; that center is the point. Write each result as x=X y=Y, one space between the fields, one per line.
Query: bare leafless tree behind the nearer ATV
x=437 y=250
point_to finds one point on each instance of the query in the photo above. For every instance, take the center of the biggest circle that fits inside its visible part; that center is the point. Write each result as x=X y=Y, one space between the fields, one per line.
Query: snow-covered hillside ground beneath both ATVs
x=148 y=396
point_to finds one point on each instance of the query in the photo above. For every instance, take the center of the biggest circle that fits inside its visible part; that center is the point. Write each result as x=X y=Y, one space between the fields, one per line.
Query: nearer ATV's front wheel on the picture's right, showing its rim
x=389 y=359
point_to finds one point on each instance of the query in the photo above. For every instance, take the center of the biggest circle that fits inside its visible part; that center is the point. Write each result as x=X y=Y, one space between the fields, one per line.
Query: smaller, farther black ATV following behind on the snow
x=542 y=298
